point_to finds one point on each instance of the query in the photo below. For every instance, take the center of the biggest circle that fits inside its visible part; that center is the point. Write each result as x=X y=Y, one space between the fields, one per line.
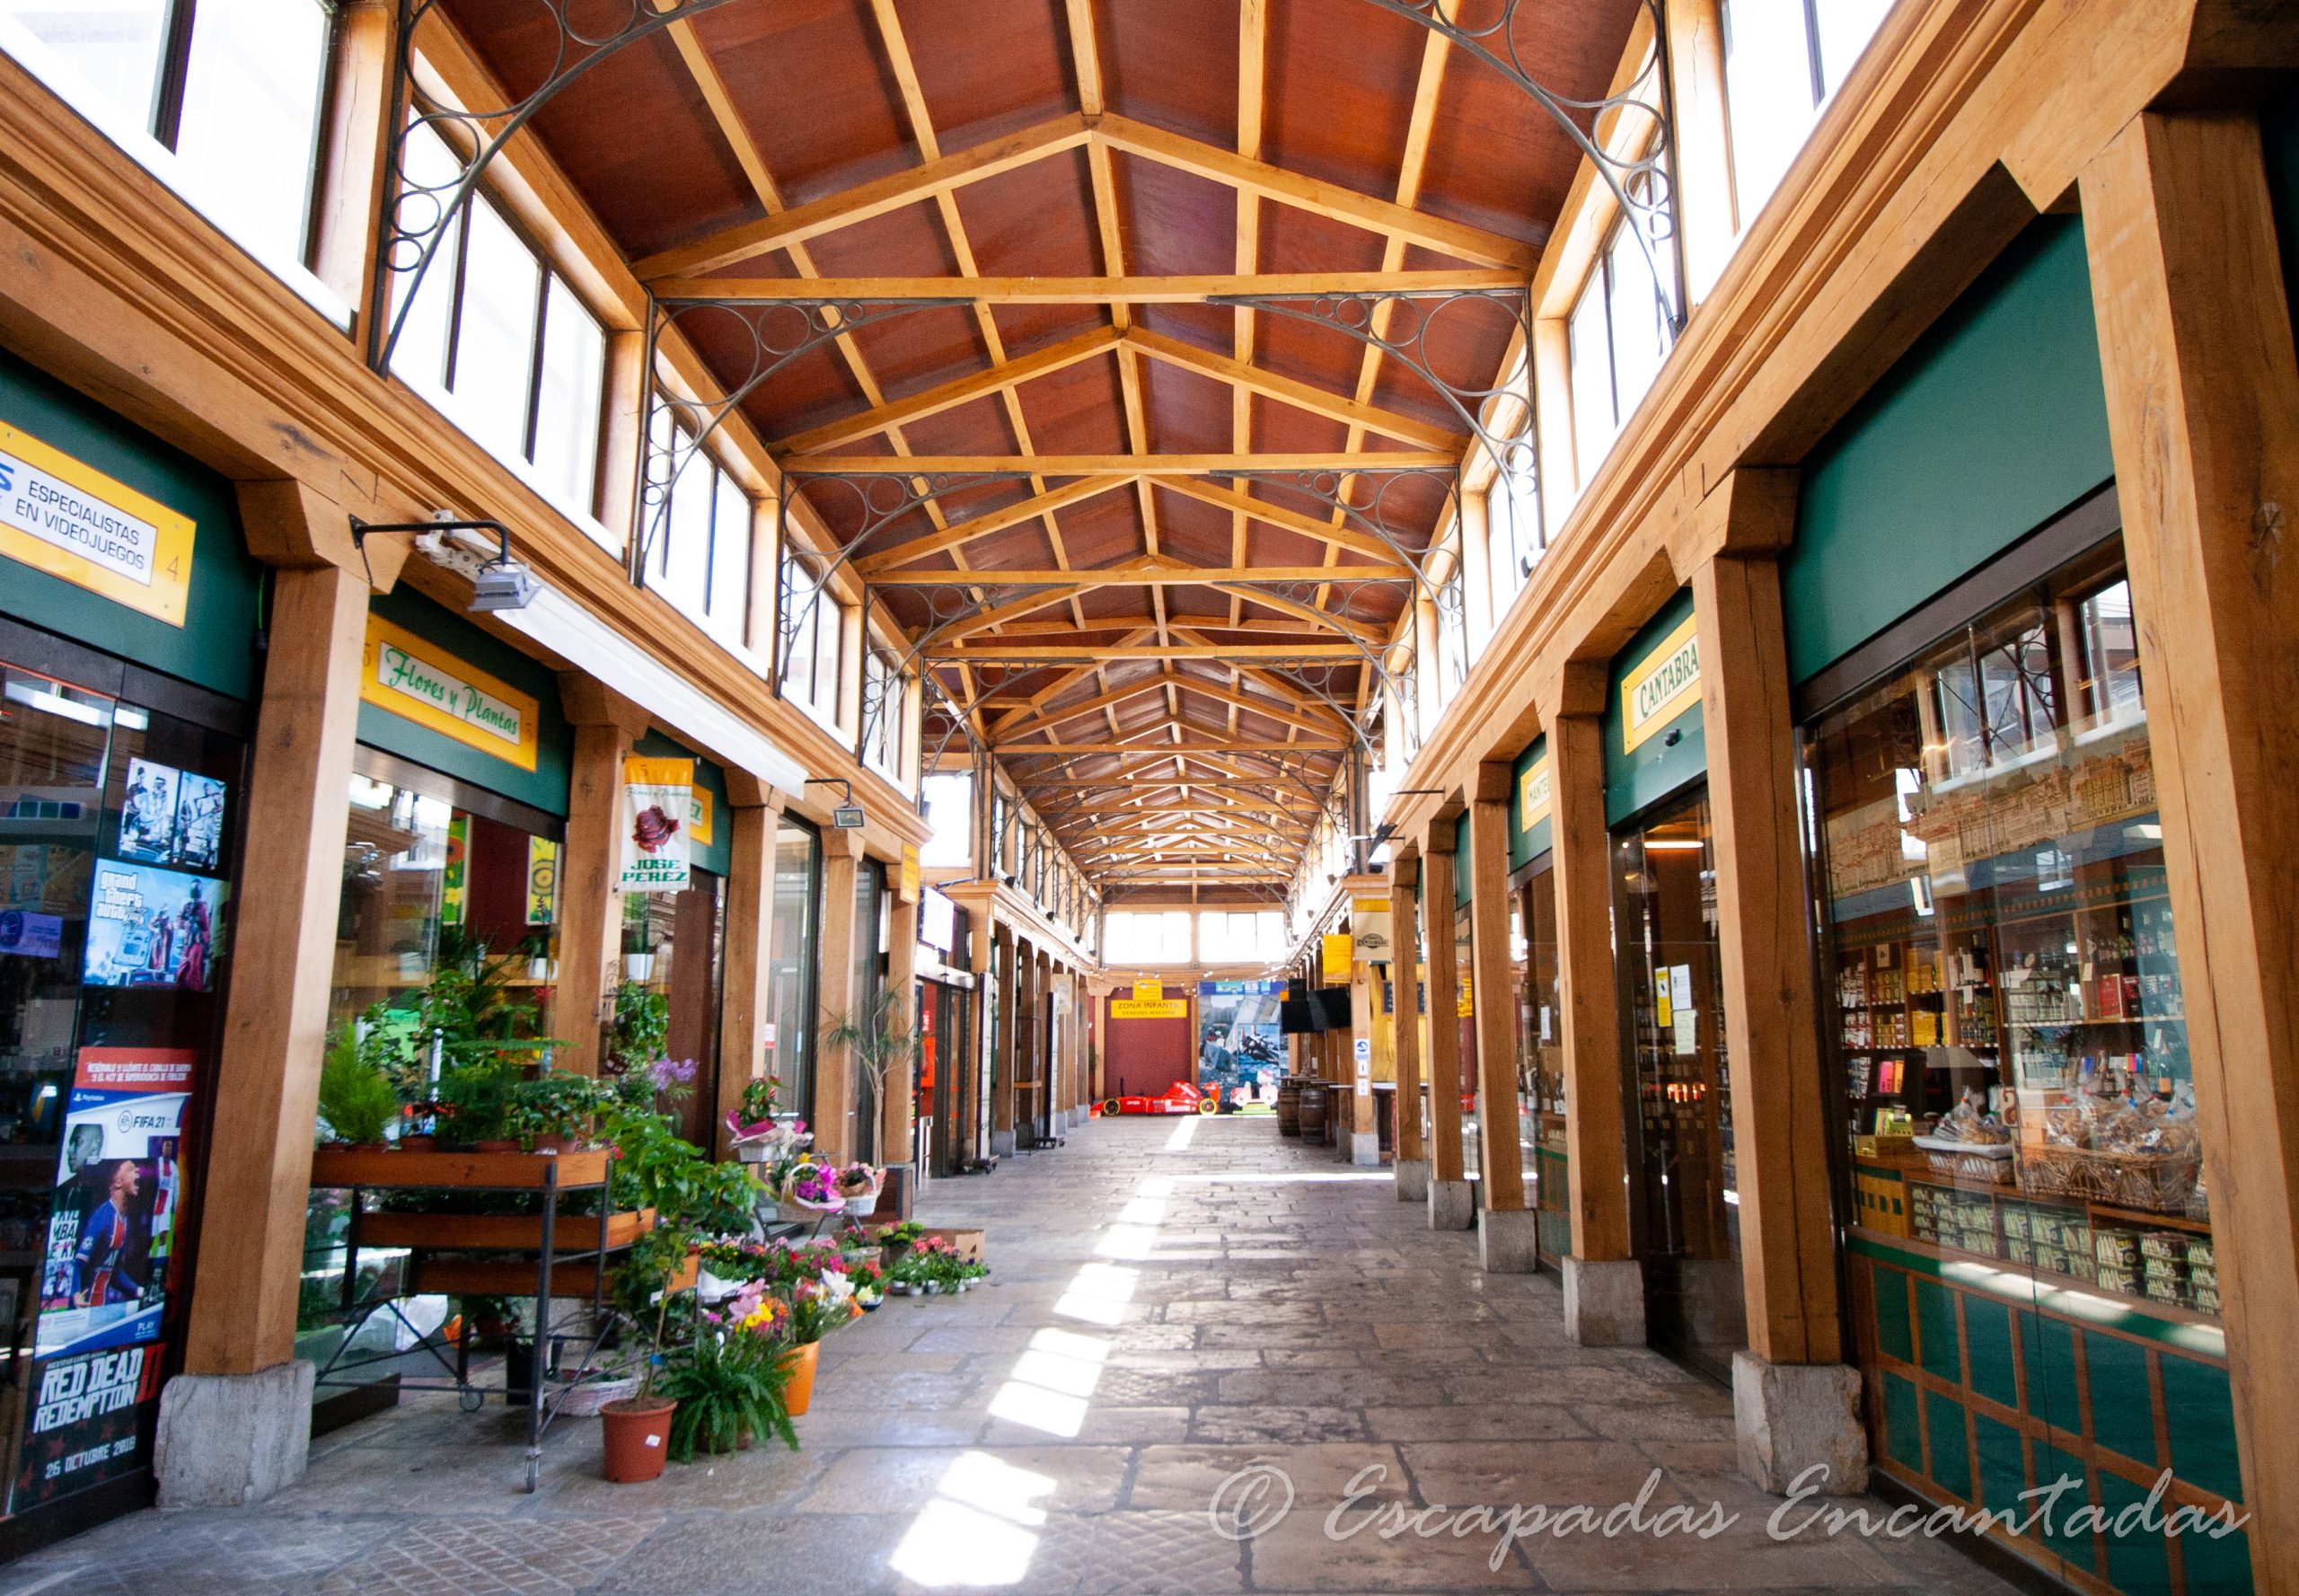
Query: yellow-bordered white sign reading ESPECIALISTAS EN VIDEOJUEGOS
x=95 y=532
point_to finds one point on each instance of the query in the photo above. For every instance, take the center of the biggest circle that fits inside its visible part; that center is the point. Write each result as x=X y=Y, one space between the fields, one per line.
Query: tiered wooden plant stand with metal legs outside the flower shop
x=546 y=1254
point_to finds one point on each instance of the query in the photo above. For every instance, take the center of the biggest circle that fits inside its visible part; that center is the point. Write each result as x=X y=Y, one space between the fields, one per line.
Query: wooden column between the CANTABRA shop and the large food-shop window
x=1764 y=937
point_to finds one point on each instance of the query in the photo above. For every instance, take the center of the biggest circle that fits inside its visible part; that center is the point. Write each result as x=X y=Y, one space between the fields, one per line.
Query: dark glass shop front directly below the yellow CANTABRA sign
x=1684 y=1202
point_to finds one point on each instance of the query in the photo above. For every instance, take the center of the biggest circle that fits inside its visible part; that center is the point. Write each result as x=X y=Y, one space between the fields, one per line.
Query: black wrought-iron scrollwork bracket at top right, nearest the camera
x=1640 y=171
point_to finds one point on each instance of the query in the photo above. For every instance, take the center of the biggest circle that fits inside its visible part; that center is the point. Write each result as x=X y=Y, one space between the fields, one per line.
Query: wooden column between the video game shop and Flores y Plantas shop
x=284 y=958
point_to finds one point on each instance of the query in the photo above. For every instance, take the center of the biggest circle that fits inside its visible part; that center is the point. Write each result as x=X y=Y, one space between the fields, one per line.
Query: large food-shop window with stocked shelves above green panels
x=2031 y=1250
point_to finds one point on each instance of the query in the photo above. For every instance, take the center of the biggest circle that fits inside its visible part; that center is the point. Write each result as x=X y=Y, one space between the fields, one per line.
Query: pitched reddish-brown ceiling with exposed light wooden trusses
x=1137 y=629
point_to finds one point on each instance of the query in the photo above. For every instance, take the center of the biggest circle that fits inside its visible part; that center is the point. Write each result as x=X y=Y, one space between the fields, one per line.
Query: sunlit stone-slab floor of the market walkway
x=1178 y=1303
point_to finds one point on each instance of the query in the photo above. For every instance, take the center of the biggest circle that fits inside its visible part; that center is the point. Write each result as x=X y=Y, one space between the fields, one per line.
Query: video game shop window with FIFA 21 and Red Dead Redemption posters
x=118 y=847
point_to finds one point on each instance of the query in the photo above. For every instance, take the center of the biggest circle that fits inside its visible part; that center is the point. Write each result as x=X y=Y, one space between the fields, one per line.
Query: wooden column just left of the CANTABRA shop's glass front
x=1597 y=1149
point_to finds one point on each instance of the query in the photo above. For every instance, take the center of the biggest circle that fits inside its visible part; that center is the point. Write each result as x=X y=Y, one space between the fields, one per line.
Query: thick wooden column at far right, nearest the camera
x=2204 y=415
